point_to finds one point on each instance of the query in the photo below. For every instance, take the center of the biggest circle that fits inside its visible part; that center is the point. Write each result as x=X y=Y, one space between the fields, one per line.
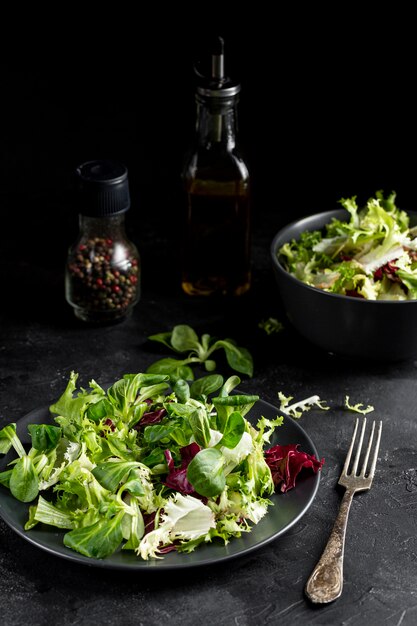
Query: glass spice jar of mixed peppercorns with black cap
x=102 y=278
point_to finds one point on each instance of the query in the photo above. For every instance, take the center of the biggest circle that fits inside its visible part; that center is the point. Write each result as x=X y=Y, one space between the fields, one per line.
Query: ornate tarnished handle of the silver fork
x=326 y=581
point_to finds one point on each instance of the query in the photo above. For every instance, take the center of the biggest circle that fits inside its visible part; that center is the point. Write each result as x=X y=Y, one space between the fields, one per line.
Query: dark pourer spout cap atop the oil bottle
x=216 y=84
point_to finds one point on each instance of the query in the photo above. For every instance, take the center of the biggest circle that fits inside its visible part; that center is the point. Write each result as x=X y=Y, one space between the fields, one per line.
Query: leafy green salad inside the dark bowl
x=373 y=255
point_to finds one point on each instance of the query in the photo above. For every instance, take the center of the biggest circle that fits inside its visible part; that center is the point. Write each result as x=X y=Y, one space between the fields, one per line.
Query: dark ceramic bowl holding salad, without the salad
x=344 y=325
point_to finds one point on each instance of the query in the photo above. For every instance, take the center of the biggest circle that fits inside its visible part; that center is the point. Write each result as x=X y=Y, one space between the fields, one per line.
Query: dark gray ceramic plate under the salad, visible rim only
x=287 y=510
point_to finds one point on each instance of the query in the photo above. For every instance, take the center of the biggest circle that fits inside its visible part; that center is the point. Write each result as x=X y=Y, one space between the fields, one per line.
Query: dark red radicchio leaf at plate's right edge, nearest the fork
x=286 y=462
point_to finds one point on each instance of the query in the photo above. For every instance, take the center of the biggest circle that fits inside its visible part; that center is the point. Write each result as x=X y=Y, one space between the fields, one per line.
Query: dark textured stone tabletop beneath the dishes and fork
x=41 y=342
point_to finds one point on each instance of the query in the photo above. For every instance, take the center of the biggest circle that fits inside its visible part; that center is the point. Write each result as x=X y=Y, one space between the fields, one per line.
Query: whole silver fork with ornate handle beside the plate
x=326 y=581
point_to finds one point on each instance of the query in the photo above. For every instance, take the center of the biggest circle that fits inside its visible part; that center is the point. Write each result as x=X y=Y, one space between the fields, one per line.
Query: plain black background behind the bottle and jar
x=327 y=111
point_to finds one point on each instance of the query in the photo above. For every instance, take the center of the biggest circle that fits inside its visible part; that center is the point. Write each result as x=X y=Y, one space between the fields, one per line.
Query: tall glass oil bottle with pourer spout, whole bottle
x=216 y=233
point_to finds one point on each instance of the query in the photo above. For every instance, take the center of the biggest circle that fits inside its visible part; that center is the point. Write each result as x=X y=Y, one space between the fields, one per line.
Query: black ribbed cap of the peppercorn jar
x=103 y=188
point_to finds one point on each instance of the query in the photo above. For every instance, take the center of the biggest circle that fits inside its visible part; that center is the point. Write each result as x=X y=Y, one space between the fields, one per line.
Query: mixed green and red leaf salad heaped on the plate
x=151 y=468
